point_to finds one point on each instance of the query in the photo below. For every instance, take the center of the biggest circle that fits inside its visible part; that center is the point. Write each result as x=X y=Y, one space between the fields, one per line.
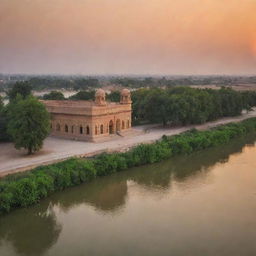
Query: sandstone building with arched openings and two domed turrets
x=90 y=120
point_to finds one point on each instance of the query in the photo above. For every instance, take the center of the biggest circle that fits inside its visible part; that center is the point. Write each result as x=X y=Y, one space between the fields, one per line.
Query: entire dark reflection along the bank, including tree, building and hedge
x=34 y=230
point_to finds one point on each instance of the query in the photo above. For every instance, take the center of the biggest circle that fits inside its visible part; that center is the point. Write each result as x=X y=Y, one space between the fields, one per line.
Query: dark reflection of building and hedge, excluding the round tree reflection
x=108 y=194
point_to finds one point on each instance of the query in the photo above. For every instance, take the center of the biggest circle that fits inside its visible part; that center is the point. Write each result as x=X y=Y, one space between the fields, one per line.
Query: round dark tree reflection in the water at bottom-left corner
x=31 y=231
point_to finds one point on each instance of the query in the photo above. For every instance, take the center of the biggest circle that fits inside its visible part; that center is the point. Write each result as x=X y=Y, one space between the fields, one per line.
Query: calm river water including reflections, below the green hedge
x=203 y=204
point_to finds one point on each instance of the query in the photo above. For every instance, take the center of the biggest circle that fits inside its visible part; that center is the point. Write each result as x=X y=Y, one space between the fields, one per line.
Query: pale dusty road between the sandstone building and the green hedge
x=55 y=149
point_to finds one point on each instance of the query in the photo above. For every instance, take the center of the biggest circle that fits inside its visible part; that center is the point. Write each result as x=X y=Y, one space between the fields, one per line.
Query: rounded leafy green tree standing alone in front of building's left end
x=28 y=123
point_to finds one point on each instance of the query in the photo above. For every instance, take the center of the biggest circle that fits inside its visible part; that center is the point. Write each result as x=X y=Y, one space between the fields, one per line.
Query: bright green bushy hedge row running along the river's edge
x=24 y=189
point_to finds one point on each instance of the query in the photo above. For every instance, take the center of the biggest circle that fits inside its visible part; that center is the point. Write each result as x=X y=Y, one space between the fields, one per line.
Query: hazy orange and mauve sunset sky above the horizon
x=128 y=36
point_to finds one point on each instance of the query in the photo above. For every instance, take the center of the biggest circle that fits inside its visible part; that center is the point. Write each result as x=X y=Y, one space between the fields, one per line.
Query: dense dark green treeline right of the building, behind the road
x=185 y=105
